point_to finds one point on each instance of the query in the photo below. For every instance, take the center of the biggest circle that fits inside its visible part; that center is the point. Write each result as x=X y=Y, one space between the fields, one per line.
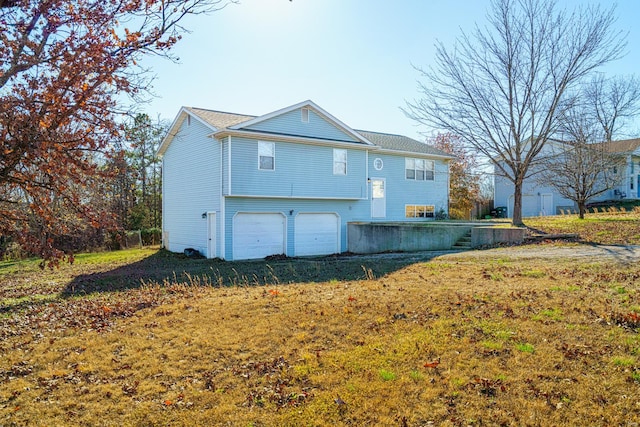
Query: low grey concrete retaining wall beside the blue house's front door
x=372 y=237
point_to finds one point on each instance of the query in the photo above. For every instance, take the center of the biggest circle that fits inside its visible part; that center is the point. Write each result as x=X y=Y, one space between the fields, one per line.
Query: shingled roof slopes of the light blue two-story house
x=222 y=120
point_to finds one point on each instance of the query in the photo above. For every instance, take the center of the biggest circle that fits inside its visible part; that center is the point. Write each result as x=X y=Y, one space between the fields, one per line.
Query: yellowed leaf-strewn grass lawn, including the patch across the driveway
x=144 y=337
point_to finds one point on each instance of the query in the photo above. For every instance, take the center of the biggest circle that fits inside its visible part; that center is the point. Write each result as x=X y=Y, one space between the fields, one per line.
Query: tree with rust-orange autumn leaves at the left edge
x=64 y=68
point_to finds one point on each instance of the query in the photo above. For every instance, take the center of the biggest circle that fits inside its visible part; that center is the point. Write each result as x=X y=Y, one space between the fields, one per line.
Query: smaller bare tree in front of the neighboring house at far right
x=587 y=165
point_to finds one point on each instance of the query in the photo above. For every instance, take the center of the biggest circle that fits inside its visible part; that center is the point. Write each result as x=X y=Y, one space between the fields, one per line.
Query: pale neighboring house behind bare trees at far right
x=621 y=165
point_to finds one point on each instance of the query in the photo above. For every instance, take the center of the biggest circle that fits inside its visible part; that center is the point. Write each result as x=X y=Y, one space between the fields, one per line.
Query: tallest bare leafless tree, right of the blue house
x=503 y=87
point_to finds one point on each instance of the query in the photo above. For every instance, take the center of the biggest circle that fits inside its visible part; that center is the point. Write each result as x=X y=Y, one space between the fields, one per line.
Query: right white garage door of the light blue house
x=316 y=234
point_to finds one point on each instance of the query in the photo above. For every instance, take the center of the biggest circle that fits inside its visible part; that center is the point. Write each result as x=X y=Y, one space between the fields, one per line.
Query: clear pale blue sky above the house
x=351 y=57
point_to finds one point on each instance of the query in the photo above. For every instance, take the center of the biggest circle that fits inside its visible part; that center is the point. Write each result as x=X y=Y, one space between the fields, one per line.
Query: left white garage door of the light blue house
x=257 y=235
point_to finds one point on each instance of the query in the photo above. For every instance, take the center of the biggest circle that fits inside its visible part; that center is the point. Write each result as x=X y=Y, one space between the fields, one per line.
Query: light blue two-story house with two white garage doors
x=243 y=187
